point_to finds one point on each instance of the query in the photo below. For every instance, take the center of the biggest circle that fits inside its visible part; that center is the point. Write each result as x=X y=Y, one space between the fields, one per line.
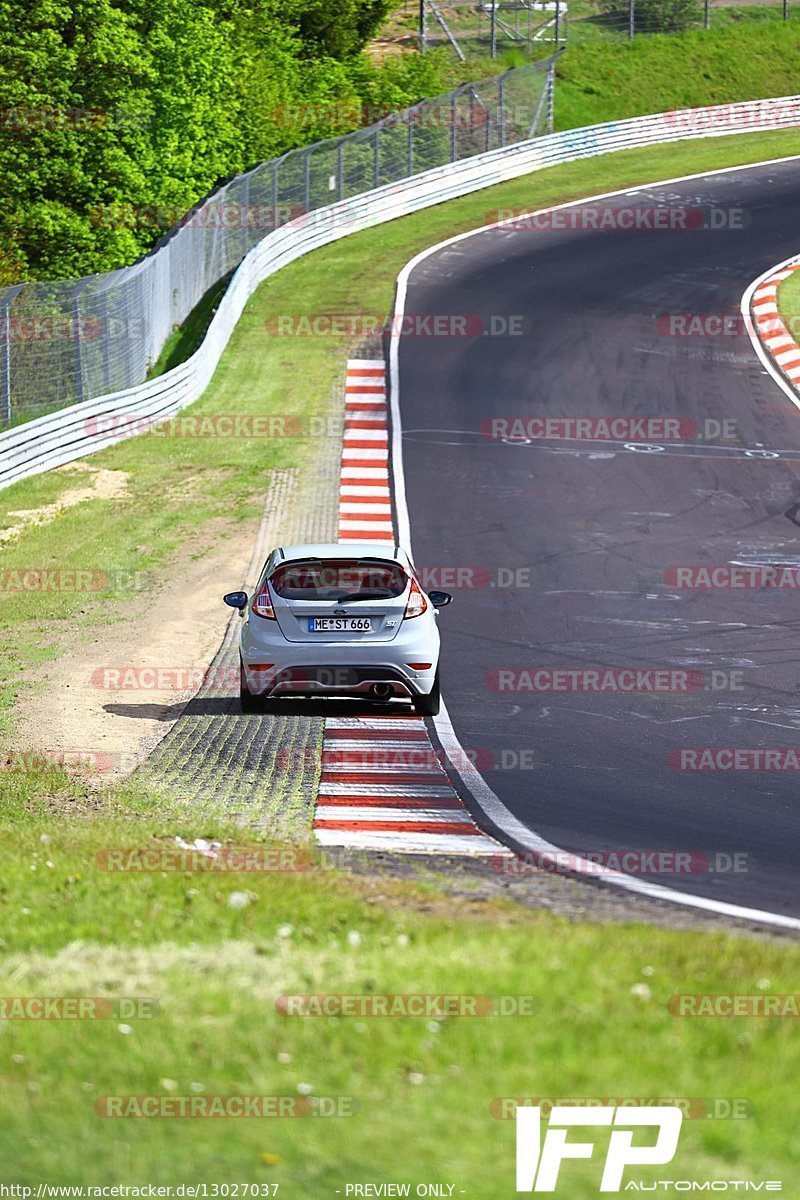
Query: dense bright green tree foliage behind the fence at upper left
x=113 y=107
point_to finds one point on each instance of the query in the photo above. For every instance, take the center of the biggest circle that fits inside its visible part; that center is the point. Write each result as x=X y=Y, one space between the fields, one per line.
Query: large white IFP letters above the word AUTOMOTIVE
x=539 y=1163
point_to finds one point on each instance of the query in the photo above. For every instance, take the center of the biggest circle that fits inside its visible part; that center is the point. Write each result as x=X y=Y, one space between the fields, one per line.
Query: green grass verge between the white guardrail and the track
x=177 y=484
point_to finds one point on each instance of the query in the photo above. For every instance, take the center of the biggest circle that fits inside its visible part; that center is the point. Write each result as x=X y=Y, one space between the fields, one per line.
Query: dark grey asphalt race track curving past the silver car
x=575 y=538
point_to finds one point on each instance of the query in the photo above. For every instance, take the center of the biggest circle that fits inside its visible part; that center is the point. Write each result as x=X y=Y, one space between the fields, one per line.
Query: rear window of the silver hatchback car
x=333 y=579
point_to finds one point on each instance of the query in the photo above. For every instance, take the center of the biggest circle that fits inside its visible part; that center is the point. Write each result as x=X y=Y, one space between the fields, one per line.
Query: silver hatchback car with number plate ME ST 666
x=340 y=620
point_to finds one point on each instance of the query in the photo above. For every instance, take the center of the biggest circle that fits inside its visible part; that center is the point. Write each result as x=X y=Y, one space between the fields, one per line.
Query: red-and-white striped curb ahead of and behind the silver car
x=383 y=785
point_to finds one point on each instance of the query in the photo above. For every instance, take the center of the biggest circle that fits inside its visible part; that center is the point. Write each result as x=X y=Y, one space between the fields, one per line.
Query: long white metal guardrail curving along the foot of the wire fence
x=68 y=435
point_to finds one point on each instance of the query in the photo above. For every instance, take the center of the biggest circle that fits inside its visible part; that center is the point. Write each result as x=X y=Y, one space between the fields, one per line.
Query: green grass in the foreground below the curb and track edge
x=422 y=1091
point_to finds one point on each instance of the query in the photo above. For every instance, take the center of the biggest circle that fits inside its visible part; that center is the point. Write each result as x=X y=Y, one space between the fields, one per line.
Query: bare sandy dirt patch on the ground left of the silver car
x=110 y=699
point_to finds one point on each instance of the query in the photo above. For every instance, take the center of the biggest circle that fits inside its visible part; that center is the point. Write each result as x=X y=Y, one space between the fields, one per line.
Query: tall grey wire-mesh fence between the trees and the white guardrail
x=67 y=341
